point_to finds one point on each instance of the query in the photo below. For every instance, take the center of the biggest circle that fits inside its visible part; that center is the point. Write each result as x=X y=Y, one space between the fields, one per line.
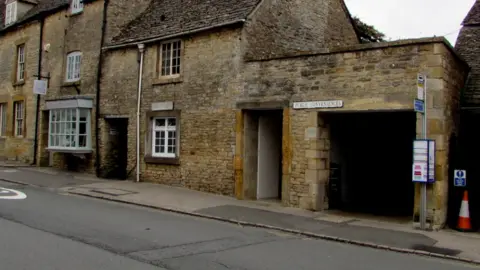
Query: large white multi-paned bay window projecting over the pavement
x=69 y=129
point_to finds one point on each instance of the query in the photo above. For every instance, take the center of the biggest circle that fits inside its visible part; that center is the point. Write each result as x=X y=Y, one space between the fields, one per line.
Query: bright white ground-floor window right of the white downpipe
x=164 y=137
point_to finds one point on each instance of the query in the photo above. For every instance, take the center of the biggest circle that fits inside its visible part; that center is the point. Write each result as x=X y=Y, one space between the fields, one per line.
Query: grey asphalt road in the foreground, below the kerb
x=48 y=230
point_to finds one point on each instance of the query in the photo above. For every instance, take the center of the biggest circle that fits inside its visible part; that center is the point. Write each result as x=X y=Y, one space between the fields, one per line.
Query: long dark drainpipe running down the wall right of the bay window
x=97 y=94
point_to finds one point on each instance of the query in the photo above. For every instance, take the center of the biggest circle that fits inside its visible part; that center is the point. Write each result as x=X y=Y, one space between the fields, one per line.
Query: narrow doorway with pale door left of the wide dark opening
x=263 y=154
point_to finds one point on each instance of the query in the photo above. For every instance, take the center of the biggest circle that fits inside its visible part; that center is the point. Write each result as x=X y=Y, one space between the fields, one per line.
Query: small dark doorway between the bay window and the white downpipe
x=115 y=165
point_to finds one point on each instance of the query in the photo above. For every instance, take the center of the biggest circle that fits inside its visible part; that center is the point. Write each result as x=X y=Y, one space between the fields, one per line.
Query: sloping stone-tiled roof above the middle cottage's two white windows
x=168 y=17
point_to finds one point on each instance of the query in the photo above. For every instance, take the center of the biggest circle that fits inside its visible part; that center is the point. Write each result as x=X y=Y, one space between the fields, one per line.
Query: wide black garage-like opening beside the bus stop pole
x=370 y=161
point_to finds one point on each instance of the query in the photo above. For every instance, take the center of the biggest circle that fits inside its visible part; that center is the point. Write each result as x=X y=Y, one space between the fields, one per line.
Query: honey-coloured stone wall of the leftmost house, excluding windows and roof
x=19 y=148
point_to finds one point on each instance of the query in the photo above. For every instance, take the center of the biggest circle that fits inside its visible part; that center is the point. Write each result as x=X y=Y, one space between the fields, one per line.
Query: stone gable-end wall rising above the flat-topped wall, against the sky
x=282 y=27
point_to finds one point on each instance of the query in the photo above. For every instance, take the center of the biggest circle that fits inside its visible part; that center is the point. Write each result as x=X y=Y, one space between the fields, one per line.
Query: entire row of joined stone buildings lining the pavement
x=271 y=99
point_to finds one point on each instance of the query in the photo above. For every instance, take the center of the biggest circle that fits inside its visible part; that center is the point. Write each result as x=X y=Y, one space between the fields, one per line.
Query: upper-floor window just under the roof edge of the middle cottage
x=167 y=70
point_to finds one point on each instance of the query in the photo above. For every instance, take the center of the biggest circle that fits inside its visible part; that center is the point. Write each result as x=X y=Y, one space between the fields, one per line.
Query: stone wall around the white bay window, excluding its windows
x=66 y=33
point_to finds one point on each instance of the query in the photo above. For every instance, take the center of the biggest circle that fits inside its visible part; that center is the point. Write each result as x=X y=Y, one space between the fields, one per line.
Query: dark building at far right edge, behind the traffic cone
x=468 y=46
